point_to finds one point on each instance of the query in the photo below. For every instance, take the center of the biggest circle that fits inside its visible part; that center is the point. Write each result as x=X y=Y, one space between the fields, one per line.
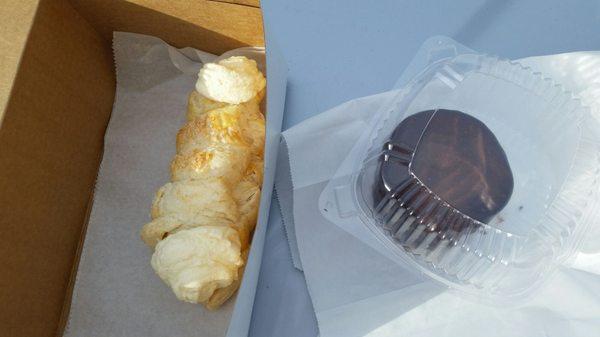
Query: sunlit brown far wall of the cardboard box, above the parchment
x=207 y=25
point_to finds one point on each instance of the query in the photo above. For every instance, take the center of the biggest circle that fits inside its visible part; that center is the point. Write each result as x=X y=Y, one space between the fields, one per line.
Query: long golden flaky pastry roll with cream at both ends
x=203 y=219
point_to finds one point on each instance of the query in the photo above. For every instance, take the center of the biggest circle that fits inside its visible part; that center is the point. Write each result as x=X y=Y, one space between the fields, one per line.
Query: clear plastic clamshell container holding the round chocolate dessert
x=479 y=172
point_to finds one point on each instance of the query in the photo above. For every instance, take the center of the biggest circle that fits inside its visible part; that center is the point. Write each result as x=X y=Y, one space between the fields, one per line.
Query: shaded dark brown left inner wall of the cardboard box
x=50 y=142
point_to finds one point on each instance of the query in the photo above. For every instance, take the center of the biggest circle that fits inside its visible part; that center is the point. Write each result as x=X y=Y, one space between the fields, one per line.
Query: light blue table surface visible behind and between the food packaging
x=344 y=49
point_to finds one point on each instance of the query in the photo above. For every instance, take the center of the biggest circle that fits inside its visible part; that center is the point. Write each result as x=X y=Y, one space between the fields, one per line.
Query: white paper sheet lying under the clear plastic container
x=357 y=291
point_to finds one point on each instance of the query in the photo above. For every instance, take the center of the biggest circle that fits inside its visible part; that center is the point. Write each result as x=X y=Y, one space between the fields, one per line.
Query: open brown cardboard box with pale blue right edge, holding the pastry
x=57 y=84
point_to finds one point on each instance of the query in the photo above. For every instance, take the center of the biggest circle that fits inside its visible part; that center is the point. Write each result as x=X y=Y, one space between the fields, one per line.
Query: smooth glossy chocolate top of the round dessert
x=456 y=157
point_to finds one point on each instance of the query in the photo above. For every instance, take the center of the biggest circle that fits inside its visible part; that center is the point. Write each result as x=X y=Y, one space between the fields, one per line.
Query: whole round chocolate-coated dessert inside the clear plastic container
x=442 y=171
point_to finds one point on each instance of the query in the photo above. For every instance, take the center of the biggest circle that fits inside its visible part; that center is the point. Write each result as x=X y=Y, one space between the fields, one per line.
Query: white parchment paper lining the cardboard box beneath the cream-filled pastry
x=116 y=291
